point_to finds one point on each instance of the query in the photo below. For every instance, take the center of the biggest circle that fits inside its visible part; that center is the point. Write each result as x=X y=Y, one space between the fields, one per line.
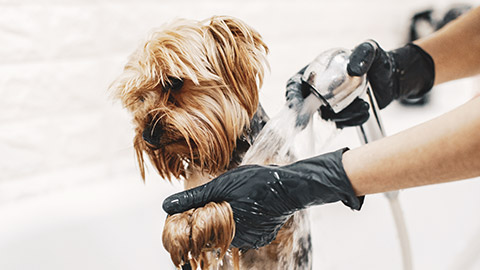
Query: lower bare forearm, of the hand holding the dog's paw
x=441 y=150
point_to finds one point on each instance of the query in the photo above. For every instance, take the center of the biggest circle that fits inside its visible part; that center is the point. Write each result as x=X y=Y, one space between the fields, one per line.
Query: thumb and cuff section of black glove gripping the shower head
x=405 y=72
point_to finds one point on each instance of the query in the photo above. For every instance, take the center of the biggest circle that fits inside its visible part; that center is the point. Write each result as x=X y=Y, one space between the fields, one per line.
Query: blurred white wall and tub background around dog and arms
x=71 y=196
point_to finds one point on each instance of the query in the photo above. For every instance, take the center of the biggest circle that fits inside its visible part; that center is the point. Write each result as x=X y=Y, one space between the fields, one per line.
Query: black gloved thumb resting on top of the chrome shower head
x=362 y=58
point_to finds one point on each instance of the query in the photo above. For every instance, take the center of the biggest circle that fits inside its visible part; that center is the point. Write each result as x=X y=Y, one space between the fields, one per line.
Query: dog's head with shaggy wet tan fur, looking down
x=192 y=88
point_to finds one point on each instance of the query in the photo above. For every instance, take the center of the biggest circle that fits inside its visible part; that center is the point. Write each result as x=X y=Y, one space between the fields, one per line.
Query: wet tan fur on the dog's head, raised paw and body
x=221 y=61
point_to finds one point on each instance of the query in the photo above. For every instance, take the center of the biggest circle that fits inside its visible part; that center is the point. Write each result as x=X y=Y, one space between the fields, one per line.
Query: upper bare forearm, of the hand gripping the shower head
x=455 y=48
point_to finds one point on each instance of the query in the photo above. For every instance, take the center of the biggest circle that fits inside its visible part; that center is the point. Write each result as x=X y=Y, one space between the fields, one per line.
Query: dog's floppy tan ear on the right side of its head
x=240 y=58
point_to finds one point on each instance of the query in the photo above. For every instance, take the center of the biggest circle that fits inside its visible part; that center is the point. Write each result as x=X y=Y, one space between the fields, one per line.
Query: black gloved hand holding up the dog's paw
x=264 y=197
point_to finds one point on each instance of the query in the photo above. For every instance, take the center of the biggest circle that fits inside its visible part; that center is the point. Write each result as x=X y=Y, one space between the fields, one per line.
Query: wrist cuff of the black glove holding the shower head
x=415 y=71
